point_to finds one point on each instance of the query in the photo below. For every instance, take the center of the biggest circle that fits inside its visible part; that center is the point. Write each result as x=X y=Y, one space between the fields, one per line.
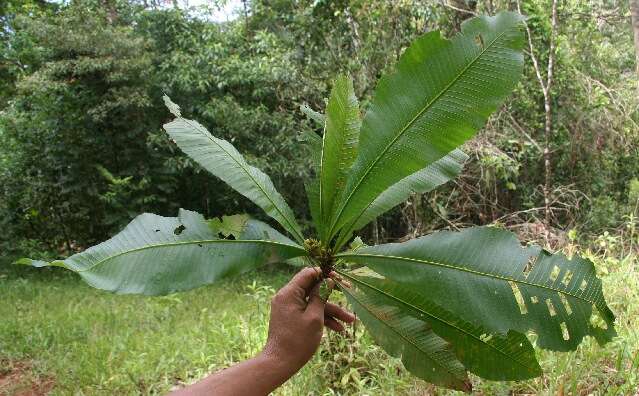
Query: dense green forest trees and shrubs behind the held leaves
x=81 y=117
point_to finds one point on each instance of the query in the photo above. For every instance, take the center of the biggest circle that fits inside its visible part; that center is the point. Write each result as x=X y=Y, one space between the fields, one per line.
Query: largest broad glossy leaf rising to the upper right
x=440 y=95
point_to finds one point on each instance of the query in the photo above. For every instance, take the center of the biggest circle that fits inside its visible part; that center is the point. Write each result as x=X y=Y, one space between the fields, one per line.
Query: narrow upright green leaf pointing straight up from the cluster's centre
x=339 y=145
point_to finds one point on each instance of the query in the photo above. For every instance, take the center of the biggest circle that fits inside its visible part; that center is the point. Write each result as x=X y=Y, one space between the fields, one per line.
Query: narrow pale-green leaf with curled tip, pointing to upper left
x=222 y=159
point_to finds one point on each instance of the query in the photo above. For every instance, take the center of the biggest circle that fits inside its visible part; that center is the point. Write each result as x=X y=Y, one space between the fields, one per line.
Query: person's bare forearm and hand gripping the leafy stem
x=298 y=318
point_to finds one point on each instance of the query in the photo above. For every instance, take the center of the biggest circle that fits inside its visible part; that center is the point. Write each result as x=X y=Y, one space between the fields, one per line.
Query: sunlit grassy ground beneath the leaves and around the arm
x=58 y=334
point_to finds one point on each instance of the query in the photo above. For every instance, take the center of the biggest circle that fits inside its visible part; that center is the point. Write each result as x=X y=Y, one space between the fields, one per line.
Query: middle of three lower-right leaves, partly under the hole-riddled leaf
x=491 y=356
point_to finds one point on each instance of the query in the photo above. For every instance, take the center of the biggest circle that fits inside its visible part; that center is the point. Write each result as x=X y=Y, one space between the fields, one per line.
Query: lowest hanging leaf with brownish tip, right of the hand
x=423 y=353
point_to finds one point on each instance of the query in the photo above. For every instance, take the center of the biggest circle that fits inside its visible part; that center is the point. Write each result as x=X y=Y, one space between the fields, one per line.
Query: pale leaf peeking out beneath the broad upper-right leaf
x=420 y=182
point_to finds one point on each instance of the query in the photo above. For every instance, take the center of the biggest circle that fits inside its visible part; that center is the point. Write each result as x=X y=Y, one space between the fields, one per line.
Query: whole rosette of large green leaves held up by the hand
x=447 y=303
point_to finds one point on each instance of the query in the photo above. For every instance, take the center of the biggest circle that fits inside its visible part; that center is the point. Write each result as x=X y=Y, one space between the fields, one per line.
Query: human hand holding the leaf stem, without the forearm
x=298 y=317
